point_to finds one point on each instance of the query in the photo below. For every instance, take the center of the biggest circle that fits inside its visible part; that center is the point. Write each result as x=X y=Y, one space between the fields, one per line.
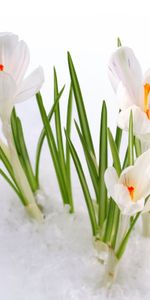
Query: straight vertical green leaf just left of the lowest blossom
x=103 y=165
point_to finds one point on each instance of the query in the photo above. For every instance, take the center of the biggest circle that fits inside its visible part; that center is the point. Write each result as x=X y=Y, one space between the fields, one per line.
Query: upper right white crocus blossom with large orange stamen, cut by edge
x=132 y=89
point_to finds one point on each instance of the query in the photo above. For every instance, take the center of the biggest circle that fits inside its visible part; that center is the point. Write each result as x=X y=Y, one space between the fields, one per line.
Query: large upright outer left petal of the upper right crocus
x=125 y=68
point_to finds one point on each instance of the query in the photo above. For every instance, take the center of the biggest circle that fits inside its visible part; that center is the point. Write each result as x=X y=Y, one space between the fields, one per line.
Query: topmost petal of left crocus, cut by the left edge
x=8 y=43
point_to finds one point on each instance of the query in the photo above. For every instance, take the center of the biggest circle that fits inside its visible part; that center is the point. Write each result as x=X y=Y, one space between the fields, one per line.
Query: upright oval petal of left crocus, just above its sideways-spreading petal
x=19 y=61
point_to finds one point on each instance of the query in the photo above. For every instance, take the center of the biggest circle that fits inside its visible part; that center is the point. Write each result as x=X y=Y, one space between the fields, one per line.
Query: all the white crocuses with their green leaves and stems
x=121 y=191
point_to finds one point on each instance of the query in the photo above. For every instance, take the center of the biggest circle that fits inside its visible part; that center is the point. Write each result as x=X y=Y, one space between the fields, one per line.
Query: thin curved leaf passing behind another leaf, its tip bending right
x=43 y=134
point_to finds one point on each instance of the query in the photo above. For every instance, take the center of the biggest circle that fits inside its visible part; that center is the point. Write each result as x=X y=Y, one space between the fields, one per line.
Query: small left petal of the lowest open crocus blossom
x=111 y=179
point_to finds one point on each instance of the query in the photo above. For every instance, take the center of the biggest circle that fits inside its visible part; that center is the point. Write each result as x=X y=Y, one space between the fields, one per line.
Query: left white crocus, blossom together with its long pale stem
x=14 y=60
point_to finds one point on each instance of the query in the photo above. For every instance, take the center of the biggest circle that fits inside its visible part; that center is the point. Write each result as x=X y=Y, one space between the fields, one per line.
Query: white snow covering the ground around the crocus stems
x=56 y=260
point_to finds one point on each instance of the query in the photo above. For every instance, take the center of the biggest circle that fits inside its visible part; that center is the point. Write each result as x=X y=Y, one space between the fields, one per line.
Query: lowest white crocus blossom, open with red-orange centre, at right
x=132 y=187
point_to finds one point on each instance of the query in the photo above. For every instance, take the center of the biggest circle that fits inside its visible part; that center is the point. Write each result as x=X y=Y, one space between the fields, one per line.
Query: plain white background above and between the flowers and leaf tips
x=88 y=29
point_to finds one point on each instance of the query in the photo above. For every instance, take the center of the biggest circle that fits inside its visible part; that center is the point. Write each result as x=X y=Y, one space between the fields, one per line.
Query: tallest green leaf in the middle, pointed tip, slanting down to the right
x=80 y=106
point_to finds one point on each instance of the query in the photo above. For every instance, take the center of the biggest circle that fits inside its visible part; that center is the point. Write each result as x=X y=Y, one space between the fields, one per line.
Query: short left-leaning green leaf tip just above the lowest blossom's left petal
x=114 y=152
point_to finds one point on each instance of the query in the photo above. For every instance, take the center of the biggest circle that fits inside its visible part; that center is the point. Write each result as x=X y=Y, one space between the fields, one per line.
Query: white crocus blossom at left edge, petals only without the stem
x=14 y=60
